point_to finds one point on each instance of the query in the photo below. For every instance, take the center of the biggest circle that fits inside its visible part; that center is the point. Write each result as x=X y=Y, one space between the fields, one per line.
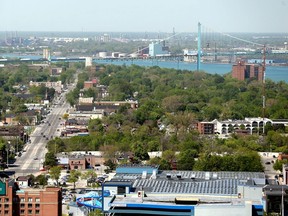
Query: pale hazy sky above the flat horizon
x=144 y=16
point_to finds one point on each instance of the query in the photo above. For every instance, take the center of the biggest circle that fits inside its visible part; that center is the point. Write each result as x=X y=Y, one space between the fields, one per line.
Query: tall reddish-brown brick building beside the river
x=243 y=71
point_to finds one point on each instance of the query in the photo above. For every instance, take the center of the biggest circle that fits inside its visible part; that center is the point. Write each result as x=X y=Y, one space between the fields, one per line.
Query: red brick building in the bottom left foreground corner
x=32 y=202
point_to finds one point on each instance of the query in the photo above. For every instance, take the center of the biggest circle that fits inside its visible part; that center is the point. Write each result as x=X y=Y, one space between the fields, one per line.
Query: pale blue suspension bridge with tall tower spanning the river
x=207 y=45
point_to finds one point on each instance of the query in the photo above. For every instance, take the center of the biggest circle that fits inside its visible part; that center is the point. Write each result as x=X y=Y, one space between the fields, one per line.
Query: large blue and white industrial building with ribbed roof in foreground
x=145 y=190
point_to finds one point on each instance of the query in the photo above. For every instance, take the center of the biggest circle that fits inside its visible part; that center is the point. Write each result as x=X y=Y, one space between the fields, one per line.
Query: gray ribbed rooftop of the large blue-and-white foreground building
x=194 y=182
